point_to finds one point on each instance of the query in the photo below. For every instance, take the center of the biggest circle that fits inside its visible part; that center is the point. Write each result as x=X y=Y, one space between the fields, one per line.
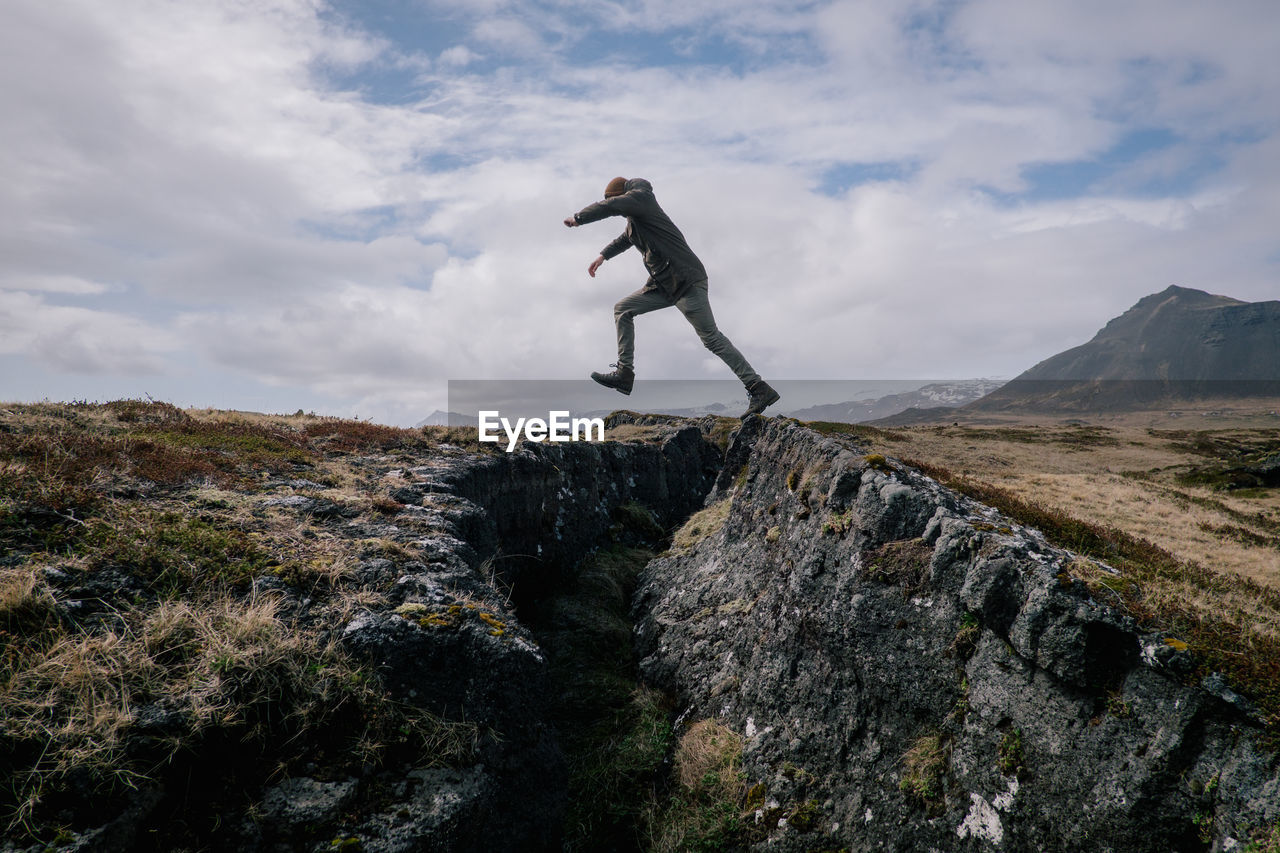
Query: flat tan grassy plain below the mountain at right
x=1187 y=487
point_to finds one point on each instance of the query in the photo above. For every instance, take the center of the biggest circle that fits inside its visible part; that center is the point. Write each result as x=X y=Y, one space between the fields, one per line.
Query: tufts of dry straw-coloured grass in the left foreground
x=72 y=700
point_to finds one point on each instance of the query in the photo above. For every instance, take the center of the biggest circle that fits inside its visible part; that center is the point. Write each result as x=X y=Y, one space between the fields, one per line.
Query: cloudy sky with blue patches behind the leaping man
x=337 y=206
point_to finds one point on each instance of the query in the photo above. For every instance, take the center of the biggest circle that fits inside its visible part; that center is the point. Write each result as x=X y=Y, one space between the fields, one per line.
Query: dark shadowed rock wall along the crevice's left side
x=505 y=527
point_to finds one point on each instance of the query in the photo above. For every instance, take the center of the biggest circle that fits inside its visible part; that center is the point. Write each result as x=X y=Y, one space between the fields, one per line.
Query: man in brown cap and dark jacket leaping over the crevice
x=676 y=277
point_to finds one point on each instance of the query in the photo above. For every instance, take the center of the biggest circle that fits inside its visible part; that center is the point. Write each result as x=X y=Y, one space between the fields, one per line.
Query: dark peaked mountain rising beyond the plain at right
x=1176 y=346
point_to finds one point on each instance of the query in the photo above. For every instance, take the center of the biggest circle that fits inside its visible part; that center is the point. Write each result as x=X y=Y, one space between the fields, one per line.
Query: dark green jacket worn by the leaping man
x=671 y=263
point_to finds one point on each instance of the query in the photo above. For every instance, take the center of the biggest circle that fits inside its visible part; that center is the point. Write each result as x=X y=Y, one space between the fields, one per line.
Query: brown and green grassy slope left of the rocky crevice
x=135 y=653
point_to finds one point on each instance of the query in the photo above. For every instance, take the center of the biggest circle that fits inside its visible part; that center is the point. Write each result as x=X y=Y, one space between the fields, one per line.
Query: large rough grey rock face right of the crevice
x=848 y=614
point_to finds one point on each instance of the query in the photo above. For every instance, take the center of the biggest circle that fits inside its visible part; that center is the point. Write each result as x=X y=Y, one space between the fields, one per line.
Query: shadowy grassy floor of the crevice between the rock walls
x=632 y=784
